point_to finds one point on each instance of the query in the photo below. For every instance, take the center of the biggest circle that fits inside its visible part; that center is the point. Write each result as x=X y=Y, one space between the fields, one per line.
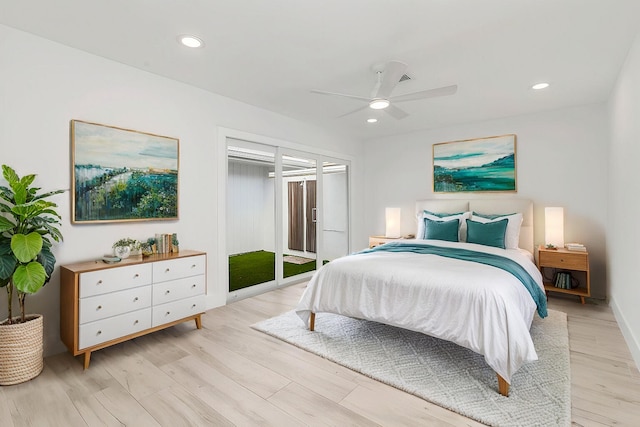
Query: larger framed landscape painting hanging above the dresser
x=122 y=175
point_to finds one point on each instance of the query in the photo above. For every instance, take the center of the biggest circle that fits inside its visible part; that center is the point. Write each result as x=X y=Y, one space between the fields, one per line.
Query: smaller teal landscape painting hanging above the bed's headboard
x=487 y=164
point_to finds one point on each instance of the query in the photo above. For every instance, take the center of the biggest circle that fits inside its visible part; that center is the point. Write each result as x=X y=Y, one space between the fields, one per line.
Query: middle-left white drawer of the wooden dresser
x=113 y=304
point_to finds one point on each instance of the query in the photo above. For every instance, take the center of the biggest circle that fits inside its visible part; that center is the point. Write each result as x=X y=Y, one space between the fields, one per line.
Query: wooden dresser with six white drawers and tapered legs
x=105 y=304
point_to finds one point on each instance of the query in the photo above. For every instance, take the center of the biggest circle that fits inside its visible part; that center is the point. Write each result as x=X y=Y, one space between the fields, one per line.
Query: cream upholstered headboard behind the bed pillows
x=487 y=206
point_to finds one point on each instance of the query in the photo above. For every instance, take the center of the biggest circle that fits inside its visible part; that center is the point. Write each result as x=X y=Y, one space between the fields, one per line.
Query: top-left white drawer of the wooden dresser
x=114 y=279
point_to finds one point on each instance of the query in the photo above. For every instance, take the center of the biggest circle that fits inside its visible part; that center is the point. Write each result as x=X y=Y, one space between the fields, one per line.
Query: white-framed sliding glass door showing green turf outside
x=277 y=202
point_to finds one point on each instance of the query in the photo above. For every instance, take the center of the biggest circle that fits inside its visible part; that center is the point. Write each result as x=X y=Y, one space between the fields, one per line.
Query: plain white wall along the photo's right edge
x=624 y=199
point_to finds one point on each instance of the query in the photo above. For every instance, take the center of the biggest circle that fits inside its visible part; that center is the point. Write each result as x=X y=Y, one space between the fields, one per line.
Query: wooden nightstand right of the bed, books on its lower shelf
x=561 y=261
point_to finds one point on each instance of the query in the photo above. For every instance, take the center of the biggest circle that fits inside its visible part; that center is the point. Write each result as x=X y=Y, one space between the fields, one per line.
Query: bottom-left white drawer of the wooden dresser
x=104 y=330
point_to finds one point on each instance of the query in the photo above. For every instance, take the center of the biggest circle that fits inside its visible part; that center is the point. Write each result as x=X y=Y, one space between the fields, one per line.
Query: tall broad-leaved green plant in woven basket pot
x=28 y=225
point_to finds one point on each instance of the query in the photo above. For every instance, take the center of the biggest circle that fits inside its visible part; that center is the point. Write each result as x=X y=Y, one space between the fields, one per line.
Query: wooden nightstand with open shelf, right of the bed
x=570 y=261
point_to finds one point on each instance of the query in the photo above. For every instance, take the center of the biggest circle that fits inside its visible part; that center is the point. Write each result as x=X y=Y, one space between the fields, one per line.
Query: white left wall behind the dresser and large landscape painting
x=43 y=85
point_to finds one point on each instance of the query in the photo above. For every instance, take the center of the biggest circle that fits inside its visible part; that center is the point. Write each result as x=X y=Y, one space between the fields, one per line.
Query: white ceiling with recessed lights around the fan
x=271 y=54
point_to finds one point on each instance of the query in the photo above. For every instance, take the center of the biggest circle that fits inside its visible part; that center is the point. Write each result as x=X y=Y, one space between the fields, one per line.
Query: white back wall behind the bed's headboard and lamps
x=561 y=161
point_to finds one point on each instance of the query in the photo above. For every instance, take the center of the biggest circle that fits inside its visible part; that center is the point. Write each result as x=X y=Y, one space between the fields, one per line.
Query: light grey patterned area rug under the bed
x=442 y=372
